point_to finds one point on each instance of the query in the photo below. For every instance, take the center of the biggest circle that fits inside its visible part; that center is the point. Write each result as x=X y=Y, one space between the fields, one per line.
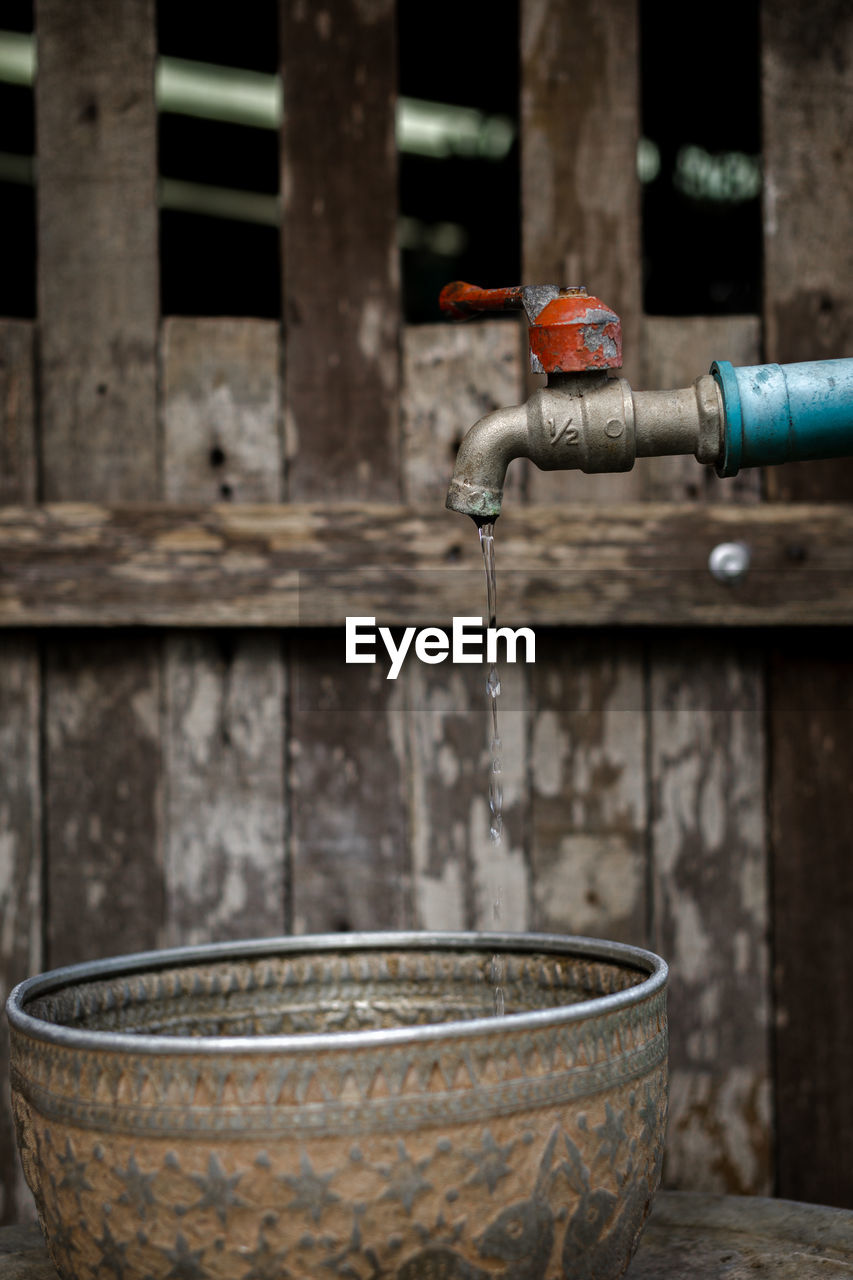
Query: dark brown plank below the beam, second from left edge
x=103 y=799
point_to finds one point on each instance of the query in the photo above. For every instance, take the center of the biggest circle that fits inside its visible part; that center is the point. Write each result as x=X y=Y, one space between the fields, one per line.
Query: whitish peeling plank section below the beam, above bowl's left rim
x=225 y=788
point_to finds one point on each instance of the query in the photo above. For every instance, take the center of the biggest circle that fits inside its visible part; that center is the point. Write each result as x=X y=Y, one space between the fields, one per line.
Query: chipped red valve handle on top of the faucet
x=571 y=333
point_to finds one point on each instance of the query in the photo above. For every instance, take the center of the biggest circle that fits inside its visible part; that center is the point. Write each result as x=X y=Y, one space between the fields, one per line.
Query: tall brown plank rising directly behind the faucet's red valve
x=580 y=189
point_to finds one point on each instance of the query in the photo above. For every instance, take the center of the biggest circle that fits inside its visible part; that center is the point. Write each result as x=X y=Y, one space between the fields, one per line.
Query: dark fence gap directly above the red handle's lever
x=460 y=213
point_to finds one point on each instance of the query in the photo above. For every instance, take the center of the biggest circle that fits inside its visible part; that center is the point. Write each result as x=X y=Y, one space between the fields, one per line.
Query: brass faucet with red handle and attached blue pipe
x=585 y=419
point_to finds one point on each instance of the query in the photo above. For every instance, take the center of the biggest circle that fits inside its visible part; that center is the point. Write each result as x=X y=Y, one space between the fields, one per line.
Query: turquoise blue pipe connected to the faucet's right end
x=786 y=413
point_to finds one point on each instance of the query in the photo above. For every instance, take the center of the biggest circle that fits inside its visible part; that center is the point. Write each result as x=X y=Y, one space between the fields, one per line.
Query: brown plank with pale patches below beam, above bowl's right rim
x=589 y=787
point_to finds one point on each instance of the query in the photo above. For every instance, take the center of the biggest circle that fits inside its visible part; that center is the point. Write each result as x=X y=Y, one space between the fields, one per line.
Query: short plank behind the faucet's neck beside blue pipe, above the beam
x=676 y=351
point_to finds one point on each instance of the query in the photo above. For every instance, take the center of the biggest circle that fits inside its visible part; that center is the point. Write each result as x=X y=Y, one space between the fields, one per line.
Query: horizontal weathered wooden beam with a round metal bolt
x=311 y=565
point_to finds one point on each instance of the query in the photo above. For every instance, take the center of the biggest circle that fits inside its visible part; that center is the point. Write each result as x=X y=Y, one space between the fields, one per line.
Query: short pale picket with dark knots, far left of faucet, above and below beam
x=225 y=810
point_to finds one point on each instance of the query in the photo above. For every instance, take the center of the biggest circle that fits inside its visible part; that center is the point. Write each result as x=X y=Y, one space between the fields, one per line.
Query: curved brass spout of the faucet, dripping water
x=490 y=446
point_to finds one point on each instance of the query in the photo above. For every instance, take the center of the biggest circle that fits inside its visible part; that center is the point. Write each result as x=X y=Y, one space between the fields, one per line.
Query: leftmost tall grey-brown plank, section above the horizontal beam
x=98 y=249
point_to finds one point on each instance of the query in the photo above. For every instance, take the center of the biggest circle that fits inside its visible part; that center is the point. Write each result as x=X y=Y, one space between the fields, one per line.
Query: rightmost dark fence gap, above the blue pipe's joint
x=700 y=158
